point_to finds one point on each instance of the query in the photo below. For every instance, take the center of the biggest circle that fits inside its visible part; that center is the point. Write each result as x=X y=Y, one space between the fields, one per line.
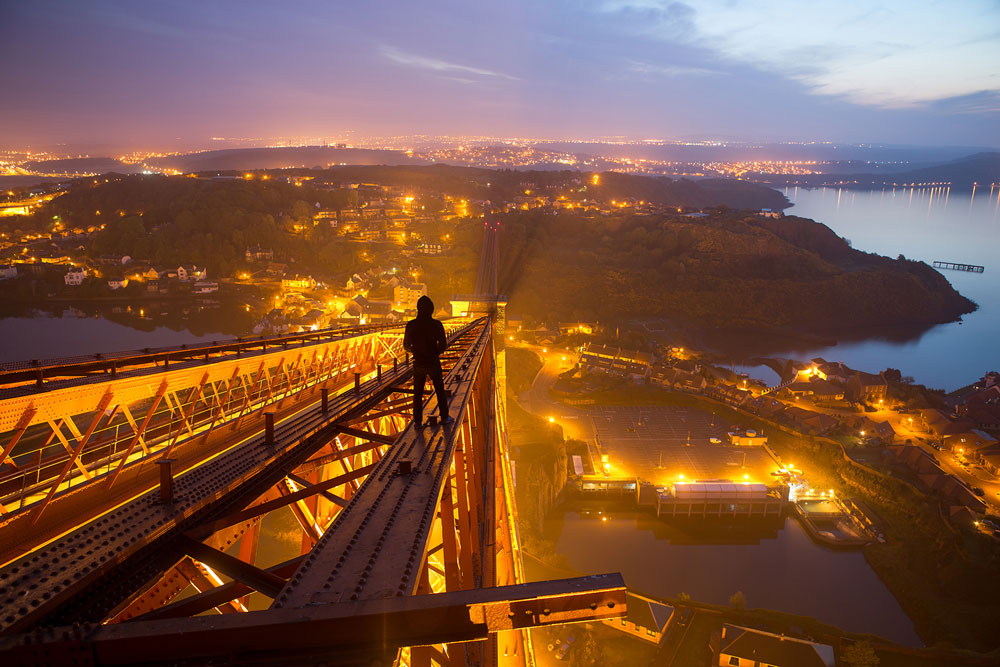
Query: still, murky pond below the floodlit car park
x=775 y=565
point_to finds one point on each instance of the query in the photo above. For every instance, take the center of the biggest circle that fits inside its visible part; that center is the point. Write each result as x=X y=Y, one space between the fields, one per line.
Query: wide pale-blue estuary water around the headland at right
x=928 y=224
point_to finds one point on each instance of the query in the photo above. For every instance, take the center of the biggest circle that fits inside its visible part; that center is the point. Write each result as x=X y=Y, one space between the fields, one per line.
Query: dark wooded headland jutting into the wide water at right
x=731 y=270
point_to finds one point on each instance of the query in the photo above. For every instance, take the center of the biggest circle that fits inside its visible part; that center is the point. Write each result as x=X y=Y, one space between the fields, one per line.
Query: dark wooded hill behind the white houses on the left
x=175 y=220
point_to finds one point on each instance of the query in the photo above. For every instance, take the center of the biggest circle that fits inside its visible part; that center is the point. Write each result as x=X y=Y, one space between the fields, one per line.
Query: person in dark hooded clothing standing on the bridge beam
x=425 y=340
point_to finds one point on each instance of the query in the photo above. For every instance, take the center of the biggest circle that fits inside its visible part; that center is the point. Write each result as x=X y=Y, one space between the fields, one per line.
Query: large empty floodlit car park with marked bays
x=666 y=445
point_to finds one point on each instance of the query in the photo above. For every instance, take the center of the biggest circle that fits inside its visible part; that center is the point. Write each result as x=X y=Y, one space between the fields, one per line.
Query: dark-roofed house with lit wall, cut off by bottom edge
x=746 y=647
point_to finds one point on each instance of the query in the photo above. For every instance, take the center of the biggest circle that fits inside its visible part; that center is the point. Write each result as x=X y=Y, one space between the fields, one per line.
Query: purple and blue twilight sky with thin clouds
x=147 y=74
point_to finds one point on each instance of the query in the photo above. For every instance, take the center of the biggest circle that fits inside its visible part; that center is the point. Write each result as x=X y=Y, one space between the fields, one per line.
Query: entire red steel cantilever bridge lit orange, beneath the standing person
x=133 y=487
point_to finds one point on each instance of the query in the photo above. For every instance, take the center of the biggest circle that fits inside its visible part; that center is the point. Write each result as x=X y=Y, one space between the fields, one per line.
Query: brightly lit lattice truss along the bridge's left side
x=198 y=396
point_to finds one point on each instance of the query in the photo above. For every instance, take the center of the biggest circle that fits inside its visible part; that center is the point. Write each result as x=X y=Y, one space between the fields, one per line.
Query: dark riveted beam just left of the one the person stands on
x=120 y=552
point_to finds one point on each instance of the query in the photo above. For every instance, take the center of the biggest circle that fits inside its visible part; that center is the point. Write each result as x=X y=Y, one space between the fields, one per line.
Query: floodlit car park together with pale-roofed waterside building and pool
x=684 y=463
